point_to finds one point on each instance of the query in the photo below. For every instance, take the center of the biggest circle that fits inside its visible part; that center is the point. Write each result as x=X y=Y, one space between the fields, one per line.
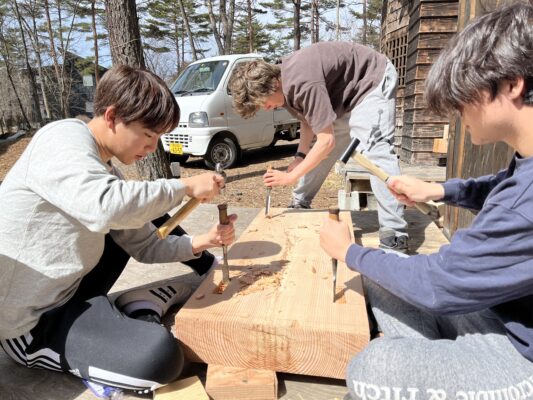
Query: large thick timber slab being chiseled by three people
x=278 y=313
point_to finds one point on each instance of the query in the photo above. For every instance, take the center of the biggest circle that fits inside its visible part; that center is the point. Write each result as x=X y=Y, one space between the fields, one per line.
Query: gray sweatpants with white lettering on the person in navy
x=428 y=357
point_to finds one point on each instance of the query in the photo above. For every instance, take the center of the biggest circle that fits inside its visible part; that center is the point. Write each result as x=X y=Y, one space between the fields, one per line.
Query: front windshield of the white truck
x=199 y=78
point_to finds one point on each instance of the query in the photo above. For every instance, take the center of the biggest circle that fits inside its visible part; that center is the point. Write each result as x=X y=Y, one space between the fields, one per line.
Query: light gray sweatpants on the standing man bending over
x=372 y=122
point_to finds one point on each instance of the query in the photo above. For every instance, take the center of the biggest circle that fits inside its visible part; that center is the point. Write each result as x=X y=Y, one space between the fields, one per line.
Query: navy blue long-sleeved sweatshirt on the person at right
x=486 y=266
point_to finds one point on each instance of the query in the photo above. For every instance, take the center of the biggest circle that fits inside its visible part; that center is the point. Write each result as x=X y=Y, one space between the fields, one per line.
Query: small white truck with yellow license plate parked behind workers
x=209 y=127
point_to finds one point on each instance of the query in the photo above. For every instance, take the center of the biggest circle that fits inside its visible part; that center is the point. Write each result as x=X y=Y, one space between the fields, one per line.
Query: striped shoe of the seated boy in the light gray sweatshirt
x=163 y=296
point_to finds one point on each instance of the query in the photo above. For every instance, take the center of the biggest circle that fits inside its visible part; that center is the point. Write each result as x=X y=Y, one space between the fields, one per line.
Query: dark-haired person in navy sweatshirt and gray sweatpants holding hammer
x=458 y=324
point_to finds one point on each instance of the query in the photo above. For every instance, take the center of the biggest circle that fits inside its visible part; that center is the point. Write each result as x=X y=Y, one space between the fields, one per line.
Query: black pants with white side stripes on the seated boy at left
x=89 y=337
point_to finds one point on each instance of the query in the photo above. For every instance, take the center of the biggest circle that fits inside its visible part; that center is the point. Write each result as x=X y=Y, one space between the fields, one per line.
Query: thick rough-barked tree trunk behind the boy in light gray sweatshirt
x=126 y=49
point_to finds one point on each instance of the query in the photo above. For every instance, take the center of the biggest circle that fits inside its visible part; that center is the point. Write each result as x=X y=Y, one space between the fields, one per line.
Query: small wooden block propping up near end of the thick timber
x=232 y=383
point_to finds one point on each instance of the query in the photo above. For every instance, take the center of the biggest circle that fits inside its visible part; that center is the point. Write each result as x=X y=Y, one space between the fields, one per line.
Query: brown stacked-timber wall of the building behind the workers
x=431 y=24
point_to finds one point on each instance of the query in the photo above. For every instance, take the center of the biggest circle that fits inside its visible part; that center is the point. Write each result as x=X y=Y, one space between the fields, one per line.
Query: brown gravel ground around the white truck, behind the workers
x=245 y=183
